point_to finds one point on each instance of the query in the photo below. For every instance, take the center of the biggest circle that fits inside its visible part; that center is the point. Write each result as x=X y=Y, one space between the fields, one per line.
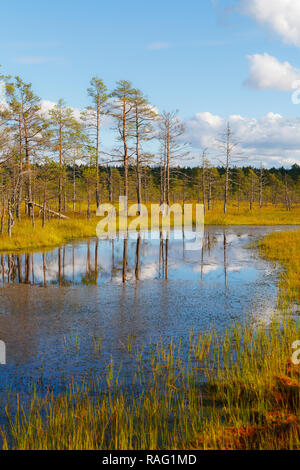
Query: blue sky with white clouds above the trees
x=213 y=60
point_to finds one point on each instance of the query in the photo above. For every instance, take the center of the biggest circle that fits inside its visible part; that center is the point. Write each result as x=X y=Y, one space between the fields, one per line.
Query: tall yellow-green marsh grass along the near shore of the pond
x=250 y=400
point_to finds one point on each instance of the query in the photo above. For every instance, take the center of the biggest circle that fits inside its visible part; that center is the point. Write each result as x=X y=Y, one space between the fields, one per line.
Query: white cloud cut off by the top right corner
x=280 y=16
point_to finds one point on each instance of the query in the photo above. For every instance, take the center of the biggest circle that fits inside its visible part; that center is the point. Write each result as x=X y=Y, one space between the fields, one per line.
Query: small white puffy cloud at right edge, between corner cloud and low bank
x=266 y=72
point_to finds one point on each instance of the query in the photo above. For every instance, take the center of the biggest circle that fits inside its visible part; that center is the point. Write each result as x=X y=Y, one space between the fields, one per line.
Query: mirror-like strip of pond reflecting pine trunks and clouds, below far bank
x=165 y=257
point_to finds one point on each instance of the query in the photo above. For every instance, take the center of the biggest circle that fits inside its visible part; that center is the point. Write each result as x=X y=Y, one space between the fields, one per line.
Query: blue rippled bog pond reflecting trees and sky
x=57 y=307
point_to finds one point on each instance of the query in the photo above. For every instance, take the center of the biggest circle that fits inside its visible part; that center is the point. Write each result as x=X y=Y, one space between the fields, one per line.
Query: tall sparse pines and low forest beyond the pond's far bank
x=53 y=161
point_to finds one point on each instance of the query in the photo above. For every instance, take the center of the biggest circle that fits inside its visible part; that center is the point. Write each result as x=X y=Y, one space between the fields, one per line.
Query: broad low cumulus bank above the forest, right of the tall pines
x=271 y=139
